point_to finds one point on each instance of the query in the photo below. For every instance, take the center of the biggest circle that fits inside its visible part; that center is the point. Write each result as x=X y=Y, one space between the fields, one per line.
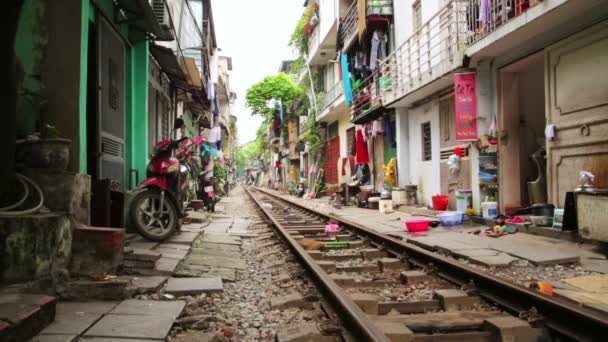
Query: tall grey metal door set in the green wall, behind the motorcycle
x=111 y=111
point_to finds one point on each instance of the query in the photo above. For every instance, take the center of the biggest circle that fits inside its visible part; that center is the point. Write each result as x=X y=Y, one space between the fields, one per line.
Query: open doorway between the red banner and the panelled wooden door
x=521 y=141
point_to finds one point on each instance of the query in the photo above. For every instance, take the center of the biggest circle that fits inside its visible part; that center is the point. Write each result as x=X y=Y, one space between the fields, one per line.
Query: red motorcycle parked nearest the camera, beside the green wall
x=158 y=207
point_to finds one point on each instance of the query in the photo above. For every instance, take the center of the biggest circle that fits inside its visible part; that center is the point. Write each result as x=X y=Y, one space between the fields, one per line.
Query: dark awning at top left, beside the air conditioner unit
x=141 y=16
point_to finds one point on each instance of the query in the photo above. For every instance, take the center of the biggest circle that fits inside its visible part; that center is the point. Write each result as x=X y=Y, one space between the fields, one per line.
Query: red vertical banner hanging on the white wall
x=465 y=95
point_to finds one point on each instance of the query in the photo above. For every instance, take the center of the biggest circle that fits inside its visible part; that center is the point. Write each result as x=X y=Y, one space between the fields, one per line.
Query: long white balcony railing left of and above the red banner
x=436 y=48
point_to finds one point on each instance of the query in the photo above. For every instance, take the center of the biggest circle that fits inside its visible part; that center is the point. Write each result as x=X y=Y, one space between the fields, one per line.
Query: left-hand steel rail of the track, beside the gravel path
x=360 y=325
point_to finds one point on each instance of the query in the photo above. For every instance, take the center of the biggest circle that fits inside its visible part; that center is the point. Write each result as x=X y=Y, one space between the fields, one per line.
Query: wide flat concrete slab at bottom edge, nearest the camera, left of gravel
x=132 y=326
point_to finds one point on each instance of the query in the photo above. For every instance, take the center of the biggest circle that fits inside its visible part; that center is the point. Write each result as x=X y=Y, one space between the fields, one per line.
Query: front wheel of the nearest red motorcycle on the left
x=153 y=220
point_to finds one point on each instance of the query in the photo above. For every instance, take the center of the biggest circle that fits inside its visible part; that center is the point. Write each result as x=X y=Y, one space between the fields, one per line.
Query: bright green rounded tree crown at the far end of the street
x=263 y=96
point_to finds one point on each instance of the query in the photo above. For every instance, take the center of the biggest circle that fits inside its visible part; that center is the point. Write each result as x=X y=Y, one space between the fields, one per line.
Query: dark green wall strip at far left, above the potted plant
x=30 y=45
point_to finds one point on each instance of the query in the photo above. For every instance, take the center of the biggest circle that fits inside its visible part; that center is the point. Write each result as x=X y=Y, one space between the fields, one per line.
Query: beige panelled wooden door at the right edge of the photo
x=577 y=104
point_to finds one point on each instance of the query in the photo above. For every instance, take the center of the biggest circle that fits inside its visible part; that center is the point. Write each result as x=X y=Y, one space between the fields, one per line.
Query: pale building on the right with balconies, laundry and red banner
x=533 y=116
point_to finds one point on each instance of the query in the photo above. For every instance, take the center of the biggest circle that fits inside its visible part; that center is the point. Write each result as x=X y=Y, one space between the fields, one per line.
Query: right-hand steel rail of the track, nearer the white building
x=573 y=322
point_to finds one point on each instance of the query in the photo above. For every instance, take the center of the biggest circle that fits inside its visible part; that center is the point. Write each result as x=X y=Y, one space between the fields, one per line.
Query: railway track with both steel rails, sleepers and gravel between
x=384 y=289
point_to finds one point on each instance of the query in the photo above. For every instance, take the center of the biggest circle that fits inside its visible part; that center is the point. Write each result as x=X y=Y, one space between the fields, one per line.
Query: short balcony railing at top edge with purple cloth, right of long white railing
x=485 y=16
